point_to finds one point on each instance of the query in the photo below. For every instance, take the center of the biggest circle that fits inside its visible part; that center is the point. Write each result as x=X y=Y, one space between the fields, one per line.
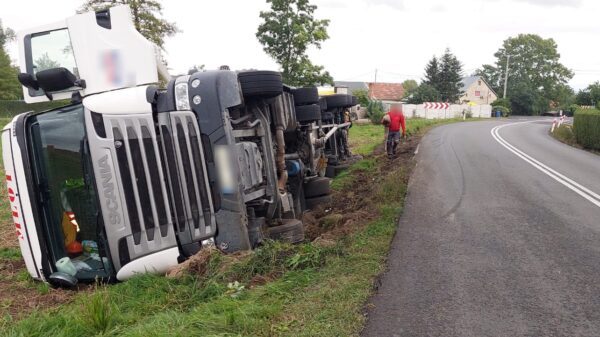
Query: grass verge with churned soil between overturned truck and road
x=313 y=289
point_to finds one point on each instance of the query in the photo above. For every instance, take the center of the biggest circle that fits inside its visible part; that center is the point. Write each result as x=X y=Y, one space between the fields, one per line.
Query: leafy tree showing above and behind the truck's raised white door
x=146 y=17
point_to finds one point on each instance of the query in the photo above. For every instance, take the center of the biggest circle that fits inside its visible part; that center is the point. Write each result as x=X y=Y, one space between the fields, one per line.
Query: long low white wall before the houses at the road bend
x=454 y=111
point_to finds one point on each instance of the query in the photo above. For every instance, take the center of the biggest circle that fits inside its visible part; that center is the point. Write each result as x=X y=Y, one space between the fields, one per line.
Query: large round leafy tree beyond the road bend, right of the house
x=535 y=65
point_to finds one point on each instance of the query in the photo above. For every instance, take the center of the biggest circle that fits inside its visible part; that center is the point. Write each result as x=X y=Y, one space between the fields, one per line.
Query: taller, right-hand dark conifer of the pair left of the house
x=450 y=76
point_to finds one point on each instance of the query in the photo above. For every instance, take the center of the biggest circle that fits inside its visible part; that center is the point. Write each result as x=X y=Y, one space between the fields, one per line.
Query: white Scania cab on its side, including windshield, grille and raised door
x=115 y=183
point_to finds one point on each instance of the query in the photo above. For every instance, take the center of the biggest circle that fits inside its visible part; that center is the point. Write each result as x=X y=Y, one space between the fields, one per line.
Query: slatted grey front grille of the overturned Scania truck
x=162 y=176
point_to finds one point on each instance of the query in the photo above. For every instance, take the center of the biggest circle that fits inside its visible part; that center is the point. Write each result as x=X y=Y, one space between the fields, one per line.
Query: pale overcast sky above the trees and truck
x=396 y=37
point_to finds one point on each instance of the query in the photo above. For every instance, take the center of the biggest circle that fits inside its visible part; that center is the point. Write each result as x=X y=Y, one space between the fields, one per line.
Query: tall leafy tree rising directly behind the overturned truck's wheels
x=287 y=31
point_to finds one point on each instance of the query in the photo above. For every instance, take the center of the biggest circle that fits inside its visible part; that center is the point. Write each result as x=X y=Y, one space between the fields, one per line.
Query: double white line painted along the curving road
x=583 y=191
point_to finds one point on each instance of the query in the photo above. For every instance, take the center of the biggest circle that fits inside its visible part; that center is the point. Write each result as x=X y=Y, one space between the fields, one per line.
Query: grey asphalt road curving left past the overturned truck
x=491 y=245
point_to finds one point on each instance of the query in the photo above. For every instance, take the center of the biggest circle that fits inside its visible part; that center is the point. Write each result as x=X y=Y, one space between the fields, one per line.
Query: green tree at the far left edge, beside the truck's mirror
x=10 y=88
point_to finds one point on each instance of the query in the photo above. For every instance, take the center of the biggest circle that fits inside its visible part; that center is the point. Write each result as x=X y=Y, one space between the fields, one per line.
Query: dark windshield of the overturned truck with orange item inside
x=66 y=191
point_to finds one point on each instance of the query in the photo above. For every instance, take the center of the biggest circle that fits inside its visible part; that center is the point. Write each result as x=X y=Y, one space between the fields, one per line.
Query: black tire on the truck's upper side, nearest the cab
x=260 y=83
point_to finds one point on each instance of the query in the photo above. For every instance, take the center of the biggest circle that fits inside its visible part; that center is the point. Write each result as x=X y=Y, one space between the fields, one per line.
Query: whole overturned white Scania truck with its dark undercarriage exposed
x=131 y=178
